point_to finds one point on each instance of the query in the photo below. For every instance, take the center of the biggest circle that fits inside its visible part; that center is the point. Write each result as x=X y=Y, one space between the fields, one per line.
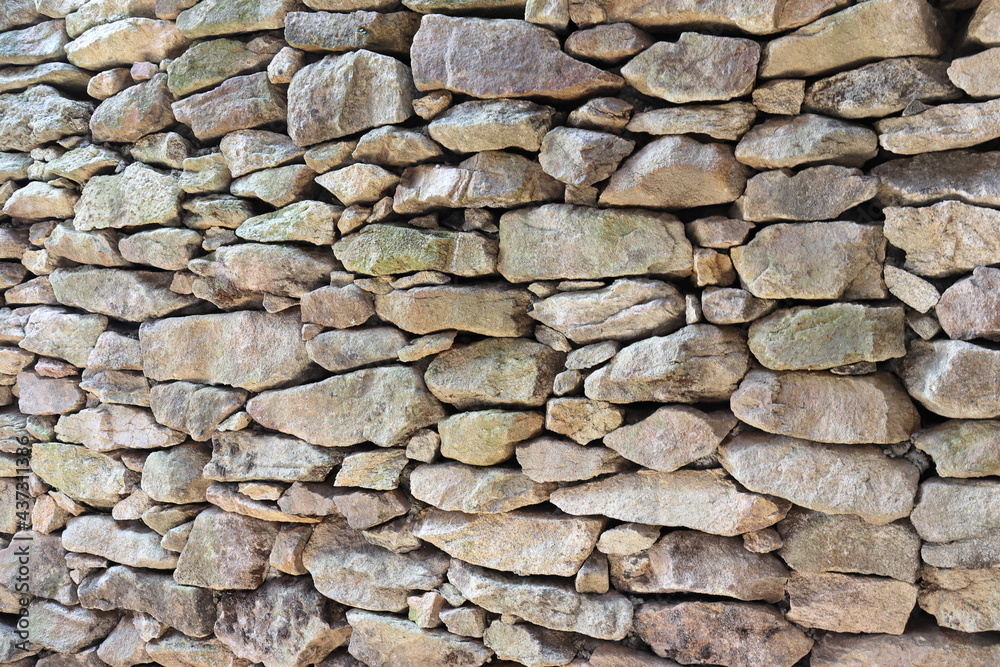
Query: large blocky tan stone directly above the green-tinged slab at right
x=822 y=260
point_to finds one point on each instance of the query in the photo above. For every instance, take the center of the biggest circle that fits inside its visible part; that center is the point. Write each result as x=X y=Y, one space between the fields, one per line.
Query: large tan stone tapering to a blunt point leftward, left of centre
x=383 y=405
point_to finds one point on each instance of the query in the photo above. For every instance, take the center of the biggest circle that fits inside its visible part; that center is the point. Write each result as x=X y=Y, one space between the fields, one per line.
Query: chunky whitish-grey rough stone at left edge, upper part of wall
x=40 y=115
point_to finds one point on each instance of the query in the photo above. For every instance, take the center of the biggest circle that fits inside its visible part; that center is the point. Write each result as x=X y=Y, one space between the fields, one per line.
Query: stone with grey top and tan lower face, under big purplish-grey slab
x=489 y=125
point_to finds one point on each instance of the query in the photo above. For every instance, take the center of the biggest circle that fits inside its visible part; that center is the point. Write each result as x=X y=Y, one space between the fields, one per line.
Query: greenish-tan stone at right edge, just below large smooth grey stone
x=962 y=448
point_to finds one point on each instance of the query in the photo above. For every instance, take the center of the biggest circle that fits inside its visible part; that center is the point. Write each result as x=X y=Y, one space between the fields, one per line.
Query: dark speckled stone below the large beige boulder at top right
x=881 y=88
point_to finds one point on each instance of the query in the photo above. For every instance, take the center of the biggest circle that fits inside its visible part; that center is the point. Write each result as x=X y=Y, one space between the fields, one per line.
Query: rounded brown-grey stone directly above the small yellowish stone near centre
x=494 y=372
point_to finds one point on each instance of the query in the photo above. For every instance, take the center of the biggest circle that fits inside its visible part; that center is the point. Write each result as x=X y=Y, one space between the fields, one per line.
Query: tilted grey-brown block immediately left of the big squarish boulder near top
x=239 y=103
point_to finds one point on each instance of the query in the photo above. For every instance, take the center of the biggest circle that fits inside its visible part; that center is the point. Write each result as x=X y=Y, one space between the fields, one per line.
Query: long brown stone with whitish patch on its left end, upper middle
x=494 y=179
